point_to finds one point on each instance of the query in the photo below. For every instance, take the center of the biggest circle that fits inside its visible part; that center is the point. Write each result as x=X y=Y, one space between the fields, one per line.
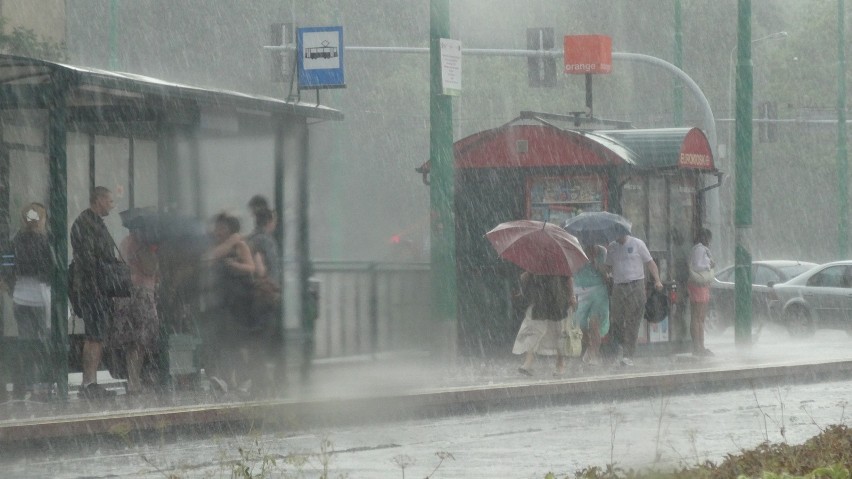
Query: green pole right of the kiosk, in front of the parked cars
x=742 y=213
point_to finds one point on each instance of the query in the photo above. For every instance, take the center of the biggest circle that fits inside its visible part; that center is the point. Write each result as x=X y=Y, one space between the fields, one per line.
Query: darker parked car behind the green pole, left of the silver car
x=764 y=274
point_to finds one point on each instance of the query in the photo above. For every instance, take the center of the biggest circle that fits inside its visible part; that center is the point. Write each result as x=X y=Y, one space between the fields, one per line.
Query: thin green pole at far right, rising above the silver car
x=842 y=158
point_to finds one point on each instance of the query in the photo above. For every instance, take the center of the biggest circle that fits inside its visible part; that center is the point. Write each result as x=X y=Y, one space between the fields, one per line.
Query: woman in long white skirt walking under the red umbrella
x=549 y=298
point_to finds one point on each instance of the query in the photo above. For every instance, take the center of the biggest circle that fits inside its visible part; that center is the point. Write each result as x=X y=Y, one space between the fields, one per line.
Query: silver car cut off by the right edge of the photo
x=819 y=298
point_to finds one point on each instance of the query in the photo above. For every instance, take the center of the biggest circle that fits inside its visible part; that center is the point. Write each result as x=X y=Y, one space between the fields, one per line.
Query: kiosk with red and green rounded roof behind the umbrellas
x=533 y=168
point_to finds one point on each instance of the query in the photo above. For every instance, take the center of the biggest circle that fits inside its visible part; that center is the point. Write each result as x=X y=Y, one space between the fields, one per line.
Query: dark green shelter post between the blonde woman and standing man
x=57 y=230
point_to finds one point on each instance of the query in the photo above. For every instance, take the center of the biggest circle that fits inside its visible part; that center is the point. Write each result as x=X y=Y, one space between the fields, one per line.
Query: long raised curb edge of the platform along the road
x=299 y=414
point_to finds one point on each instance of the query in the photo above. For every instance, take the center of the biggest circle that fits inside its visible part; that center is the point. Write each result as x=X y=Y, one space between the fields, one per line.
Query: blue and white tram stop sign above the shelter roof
x=320 y=57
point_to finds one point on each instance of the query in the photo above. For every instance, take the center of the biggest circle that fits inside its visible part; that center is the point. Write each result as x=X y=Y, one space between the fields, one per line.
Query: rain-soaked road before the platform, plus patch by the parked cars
x=661 y=432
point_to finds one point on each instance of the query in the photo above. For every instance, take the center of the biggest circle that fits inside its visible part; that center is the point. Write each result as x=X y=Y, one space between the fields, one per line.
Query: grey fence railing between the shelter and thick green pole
x=366 y=308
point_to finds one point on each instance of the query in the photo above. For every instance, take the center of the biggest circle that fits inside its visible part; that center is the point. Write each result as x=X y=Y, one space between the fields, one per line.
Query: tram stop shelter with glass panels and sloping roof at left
x=175 y=148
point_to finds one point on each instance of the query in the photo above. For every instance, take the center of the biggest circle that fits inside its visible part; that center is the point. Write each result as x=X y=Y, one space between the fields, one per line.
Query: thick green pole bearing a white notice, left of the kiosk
x=442 y=243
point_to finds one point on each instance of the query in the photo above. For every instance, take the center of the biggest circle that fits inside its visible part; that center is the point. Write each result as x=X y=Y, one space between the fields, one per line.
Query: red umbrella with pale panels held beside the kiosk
x=538 y=247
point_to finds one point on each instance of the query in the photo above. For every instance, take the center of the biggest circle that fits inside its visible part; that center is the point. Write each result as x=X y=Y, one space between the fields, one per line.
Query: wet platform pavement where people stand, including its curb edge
x=404 y=385
